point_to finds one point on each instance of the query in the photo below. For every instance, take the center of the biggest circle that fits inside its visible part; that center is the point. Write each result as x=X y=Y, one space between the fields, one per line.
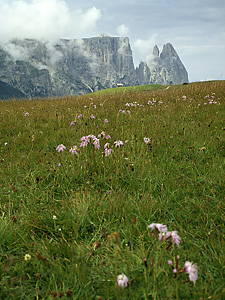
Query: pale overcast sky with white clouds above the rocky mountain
x=196 y=28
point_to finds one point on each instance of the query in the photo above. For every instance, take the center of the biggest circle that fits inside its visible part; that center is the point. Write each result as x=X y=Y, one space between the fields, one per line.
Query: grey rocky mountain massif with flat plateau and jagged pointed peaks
x=42 y=69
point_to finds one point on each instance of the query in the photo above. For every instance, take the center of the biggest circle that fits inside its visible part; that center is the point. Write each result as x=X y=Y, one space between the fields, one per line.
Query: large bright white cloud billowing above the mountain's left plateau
x=48 y=20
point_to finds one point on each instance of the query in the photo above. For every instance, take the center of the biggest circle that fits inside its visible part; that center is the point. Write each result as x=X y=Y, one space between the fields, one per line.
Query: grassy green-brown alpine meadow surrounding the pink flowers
x=62 y=209
